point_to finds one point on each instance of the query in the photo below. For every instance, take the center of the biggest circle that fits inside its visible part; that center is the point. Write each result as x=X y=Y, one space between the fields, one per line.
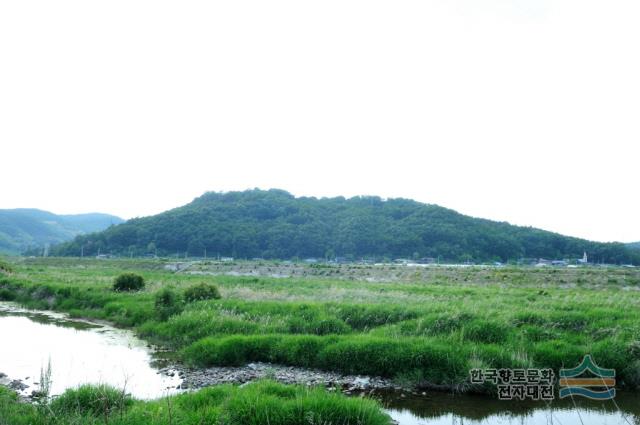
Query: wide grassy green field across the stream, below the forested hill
x=427 y=331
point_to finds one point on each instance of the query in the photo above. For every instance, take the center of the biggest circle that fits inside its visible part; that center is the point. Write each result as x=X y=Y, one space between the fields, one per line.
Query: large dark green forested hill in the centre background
x=275 y=224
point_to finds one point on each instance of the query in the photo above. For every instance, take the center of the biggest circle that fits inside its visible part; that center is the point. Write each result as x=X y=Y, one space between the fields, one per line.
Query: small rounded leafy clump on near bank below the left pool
x=101 y=400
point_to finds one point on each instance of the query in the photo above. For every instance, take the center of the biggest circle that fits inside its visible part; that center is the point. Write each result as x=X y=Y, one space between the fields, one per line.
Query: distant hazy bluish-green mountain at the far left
x=24 y=229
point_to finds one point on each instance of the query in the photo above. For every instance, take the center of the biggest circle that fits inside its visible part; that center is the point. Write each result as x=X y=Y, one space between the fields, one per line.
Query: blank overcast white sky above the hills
x=518 y=110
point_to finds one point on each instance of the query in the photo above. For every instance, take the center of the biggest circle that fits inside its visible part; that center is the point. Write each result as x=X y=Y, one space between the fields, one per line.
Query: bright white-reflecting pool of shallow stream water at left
x=80 y=352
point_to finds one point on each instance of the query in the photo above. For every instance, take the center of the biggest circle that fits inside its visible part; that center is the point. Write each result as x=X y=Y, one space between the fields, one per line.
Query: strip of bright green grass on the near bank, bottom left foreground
x=255 y=404
